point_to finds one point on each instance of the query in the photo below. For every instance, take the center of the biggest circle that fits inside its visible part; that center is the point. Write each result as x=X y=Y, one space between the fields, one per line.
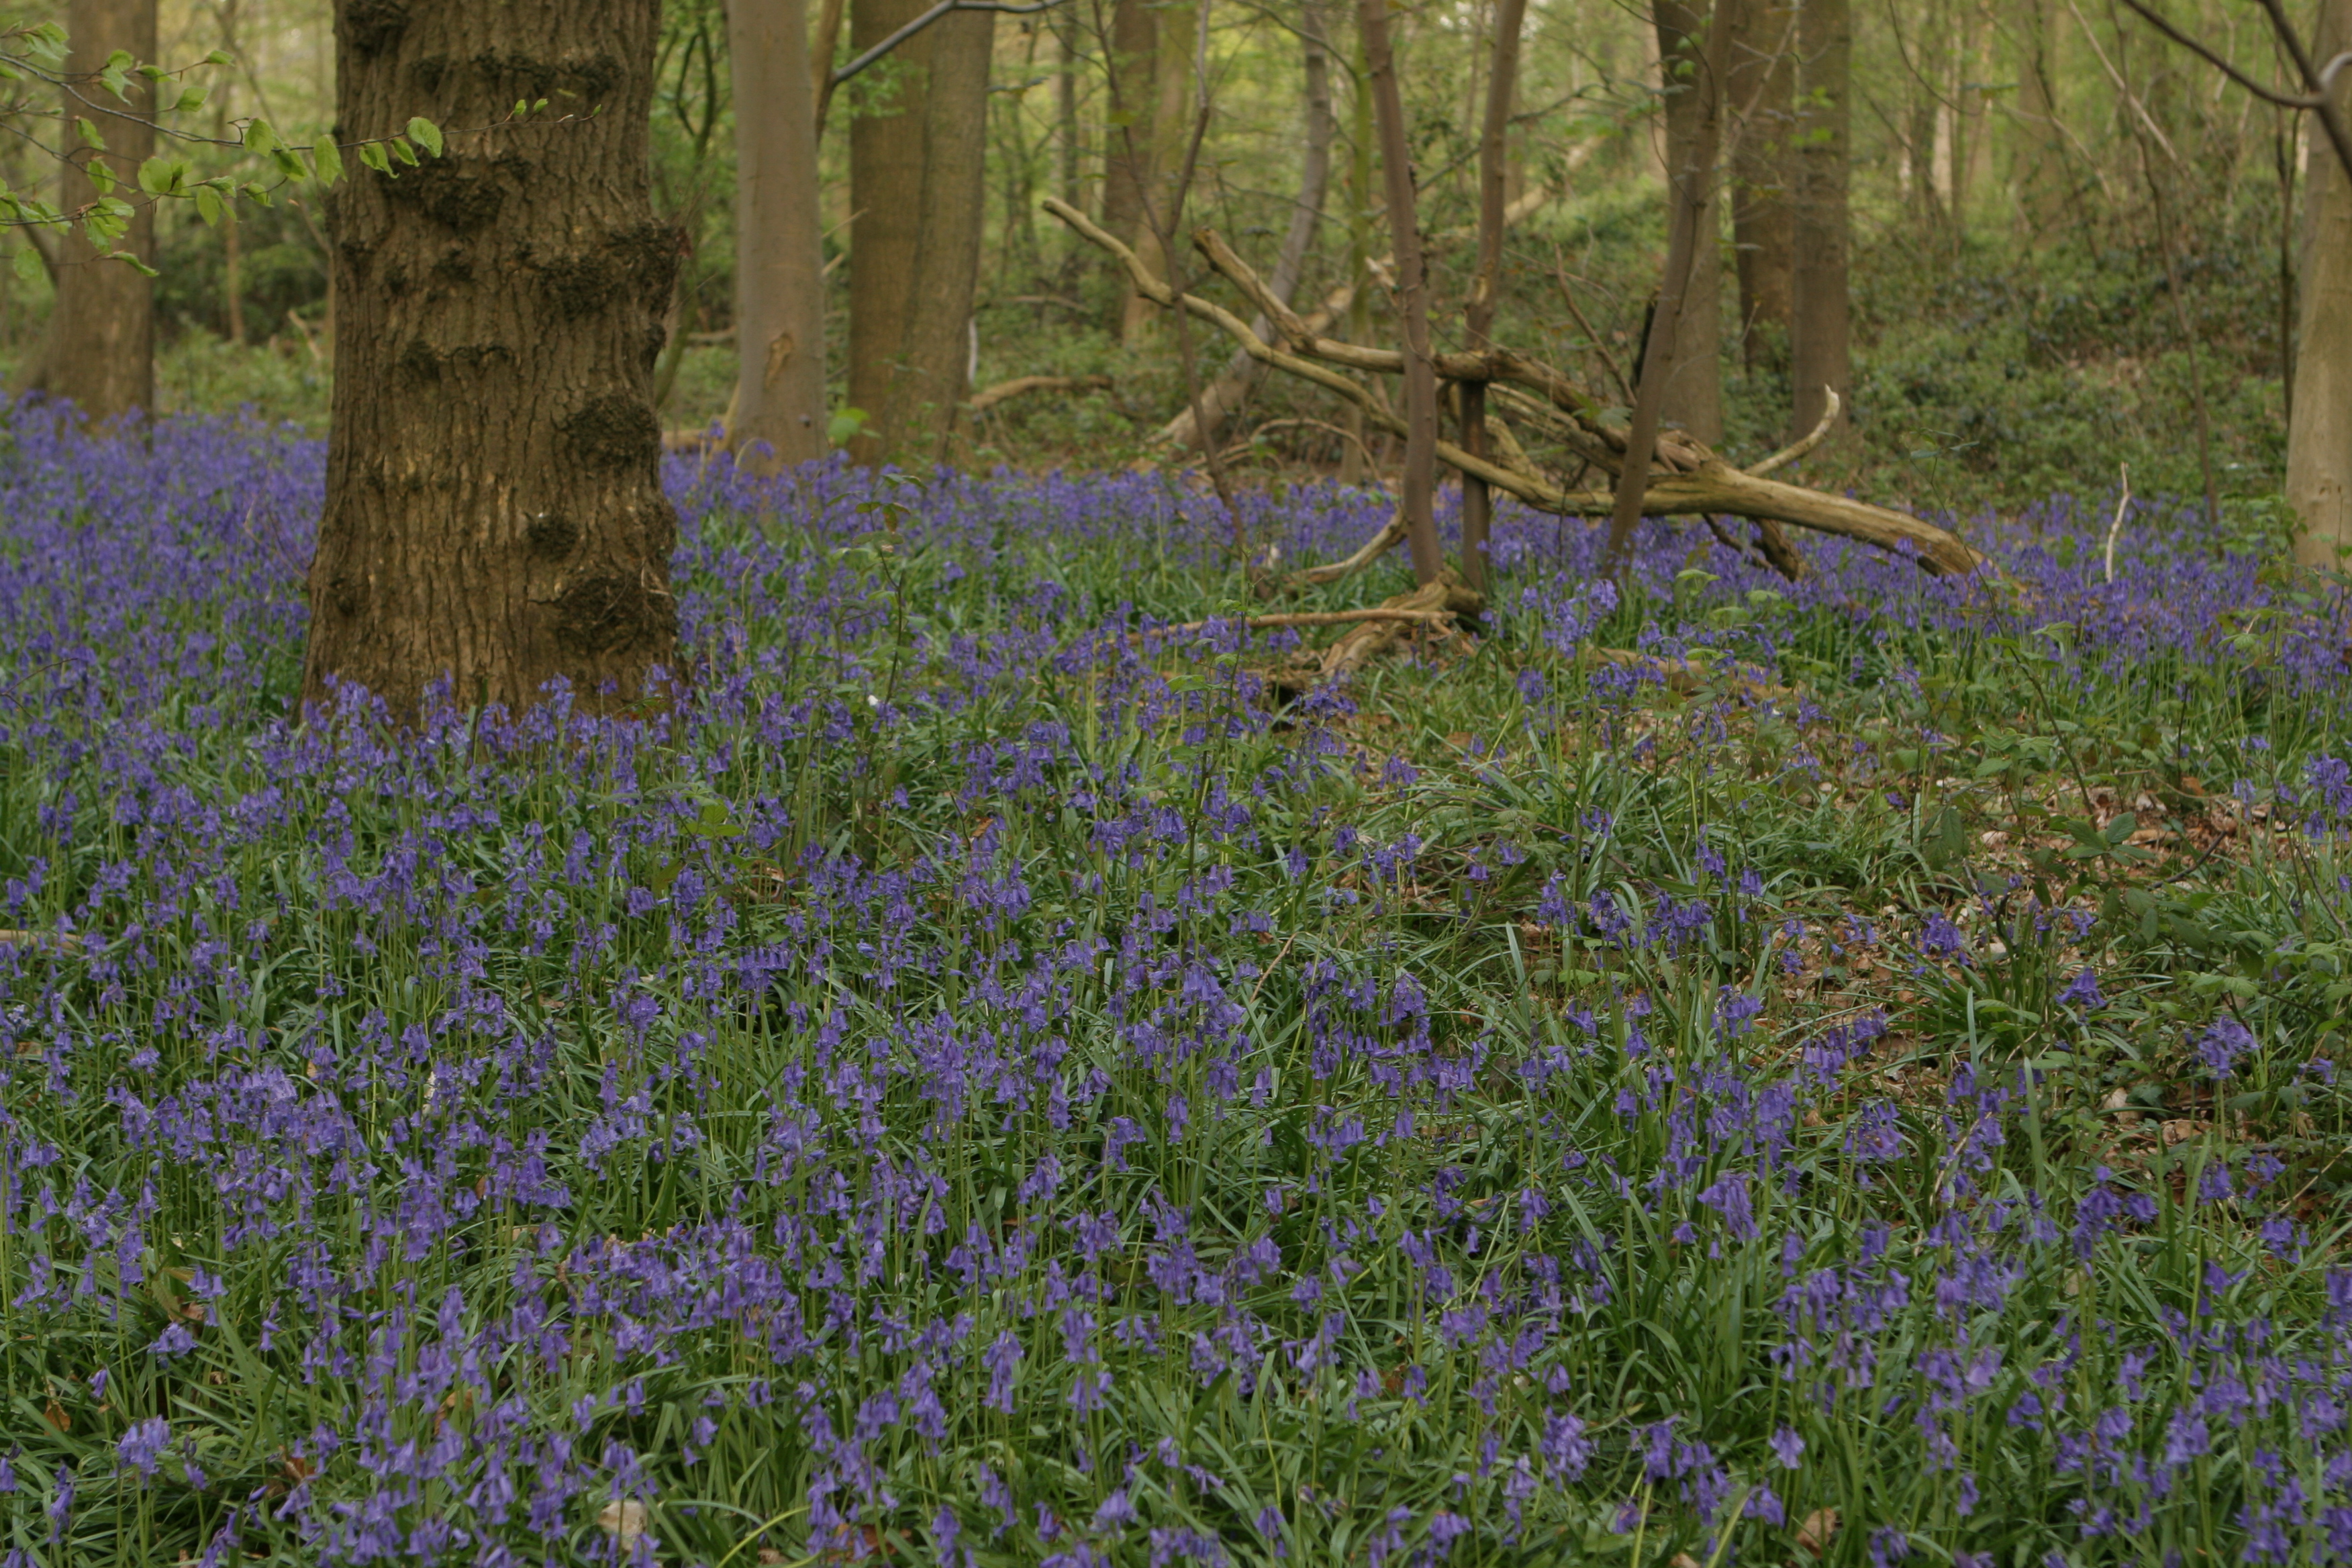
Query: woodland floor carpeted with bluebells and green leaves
x=1742 y=1071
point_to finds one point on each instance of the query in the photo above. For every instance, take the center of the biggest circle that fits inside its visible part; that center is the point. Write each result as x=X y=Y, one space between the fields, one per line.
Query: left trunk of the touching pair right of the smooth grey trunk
x=886 y=199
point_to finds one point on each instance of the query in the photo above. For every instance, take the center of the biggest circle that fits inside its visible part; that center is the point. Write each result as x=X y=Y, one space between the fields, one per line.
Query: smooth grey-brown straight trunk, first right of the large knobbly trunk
x=780 y=250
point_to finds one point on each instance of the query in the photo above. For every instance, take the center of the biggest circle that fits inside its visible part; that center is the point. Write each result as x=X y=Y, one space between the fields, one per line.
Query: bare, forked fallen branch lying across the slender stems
x=1685 y=481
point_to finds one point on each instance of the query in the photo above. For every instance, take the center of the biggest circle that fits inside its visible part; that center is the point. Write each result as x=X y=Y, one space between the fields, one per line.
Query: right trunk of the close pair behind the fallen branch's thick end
x=1819 y=311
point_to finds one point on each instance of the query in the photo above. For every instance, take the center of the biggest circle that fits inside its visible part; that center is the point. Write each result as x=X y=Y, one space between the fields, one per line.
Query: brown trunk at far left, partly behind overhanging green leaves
x=102 y=330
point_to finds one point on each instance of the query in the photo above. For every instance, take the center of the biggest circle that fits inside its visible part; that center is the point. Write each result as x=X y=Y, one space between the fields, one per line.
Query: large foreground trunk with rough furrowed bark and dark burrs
x=495 y=511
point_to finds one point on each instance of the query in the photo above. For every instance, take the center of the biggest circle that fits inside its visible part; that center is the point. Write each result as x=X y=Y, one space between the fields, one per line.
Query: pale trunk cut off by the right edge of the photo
x=2320 y=434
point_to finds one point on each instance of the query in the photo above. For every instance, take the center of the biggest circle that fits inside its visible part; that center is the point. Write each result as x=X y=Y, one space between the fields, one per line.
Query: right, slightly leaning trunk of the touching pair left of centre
x=935 y=356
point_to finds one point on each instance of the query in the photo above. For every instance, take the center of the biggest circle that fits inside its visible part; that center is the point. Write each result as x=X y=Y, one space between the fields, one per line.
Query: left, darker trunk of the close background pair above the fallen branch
x=1758 y=88
